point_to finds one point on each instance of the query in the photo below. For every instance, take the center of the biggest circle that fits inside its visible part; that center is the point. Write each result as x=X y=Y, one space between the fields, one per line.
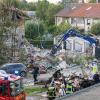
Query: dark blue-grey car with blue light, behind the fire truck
x=13 y=68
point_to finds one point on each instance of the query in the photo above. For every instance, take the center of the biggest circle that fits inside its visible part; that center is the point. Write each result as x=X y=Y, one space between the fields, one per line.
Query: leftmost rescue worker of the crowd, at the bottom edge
x=51 y=93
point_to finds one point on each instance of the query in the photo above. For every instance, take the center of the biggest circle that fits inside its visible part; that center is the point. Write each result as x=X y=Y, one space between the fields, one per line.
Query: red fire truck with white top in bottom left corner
x=11 y=87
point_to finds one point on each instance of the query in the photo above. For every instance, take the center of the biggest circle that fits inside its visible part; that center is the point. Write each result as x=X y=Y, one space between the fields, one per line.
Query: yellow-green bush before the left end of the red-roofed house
x=63 y=27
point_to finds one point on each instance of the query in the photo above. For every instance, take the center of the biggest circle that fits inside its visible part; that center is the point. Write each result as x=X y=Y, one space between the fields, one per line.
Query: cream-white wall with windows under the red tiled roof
x=82 y=23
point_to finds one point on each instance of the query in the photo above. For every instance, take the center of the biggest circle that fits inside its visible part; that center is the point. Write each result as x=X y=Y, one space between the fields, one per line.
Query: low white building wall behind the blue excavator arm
x=76 y=45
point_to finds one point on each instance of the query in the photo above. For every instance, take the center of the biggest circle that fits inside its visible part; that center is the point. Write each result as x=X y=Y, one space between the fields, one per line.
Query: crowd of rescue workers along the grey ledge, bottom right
x=60 y=86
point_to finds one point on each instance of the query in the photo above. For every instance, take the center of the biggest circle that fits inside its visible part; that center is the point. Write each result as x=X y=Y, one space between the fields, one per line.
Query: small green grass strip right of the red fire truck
x=35 y=90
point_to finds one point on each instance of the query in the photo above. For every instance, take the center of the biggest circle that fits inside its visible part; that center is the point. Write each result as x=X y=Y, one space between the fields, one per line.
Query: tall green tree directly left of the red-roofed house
x=46 y=12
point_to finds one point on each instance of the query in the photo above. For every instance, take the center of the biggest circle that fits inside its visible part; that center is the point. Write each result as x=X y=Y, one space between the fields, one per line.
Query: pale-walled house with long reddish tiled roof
x=79 y=15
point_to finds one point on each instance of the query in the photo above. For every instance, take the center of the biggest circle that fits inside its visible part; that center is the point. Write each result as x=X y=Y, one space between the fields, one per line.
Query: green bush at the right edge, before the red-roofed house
x=95 y=28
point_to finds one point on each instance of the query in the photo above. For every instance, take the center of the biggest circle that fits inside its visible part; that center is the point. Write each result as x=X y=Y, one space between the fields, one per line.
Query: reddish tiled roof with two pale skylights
x=86 y=10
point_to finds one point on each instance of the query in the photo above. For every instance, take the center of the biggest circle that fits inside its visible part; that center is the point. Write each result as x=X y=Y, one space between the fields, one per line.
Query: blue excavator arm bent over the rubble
x=70 y=33
